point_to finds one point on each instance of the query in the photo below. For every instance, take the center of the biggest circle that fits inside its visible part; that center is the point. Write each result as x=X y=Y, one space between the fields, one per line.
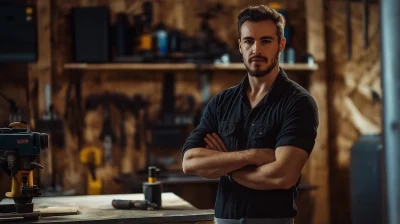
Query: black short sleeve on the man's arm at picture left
x=208 y=124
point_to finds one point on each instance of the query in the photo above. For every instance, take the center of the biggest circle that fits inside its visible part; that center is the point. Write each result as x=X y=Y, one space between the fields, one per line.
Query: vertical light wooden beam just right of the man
x=318 y=165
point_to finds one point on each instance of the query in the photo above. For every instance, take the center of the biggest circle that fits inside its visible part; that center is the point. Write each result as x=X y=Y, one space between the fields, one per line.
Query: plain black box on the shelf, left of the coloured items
x=91 y=27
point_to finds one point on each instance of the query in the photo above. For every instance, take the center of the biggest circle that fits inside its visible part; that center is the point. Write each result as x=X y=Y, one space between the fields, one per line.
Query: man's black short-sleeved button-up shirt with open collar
x=287 y=115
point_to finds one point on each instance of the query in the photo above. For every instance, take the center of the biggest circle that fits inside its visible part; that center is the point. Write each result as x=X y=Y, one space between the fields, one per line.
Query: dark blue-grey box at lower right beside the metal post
x=366 y=177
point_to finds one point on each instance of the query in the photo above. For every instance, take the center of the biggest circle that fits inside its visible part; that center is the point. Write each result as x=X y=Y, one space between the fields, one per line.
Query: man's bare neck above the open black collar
x=259 y=86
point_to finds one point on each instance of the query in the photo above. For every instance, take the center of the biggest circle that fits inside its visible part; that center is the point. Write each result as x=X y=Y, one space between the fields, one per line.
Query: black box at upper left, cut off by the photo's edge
x=18 y=35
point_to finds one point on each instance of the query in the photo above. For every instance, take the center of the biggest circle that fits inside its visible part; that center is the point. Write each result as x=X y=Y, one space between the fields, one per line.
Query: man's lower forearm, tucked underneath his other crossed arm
x=260 y=178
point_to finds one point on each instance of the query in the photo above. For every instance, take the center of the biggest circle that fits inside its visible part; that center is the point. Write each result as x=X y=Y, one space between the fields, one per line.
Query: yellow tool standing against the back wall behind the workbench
x=92 y=157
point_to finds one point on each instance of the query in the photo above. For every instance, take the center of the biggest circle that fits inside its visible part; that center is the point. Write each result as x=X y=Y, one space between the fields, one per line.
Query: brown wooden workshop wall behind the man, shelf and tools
x=354 y=90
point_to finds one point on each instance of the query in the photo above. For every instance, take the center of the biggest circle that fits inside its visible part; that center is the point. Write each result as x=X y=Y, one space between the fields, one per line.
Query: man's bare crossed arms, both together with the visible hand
x=274 y=170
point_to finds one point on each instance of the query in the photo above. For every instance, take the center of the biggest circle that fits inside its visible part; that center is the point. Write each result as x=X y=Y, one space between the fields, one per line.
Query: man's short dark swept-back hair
x=260 y=13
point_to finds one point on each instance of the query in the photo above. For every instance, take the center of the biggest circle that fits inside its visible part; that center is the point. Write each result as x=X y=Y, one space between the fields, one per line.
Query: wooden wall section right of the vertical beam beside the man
x=352 y=87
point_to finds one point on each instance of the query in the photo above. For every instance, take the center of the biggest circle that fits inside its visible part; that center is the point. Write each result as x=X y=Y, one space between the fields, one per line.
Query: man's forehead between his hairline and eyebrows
x=258 y=29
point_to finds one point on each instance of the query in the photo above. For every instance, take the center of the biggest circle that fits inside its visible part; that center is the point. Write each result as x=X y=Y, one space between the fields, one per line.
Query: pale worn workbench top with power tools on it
x=97 y=209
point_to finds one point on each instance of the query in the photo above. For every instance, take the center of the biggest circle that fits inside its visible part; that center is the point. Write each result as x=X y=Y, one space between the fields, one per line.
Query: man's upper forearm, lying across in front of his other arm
x=214 y=164
